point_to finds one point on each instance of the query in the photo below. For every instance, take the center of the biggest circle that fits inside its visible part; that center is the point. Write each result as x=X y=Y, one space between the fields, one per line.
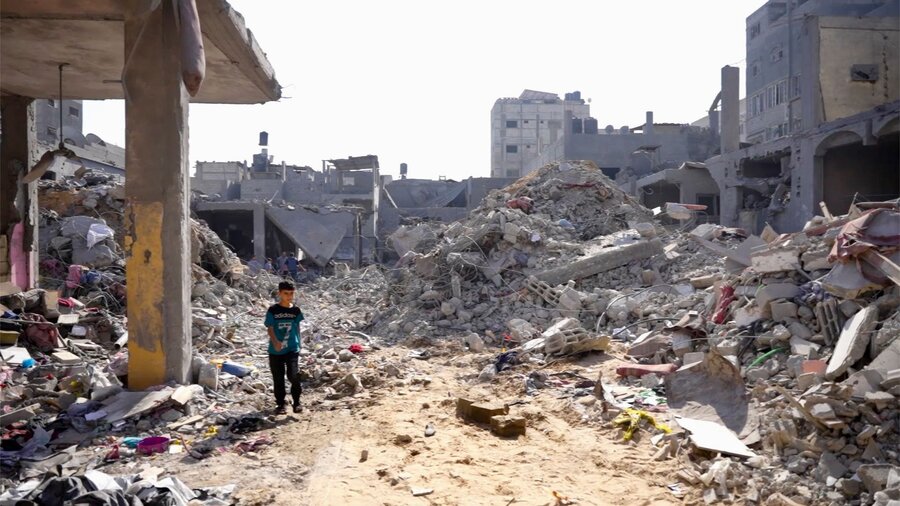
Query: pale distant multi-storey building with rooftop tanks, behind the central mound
x=523 y=128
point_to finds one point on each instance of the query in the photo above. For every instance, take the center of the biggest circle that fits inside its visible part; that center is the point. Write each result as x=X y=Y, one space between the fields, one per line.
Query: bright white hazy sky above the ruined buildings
x=414 y=81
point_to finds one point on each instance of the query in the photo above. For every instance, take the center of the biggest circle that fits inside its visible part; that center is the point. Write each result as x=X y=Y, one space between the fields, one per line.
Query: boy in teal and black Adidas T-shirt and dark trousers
x=283 y=326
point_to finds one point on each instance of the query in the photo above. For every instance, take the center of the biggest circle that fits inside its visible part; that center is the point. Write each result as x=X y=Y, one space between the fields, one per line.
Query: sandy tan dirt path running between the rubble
x=316 y=457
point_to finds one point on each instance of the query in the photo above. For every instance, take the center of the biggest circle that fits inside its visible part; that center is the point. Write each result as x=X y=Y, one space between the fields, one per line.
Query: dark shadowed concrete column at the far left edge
x=18 y=201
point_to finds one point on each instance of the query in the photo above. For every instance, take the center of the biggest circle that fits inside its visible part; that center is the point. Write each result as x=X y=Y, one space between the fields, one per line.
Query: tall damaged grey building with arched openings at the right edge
x=823 y=117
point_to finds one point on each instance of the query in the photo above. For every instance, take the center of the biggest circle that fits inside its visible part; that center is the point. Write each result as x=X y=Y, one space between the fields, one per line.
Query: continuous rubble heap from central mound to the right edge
x=776 y=356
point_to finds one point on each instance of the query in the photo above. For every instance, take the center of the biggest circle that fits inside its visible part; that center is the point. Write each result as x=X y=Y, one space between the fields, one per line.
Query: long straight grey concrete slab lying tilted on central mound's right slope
x=601 y=261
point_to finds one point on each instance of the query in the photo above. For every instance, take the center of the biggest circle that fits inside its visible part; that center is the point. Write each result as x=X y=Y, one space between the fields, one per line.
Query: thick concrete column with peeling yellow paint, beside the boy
x=158 y=236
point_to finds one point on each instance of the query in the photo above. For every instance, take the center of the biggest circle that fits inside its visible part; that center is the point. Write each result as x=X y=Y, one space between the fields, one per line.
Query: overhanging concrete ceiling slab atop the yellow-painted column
x=35 y=37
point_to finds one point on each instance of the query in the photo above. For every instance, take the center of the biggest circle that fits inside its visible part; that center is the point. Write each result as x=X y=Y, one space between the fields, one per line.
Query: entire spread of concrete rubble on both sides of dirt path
x=781 y=363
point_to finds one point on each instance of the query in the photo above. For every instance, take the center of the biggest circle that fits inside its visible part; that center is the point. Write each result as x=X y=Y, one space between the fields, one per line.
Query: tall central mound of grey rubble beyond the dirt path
x=560 y=223
